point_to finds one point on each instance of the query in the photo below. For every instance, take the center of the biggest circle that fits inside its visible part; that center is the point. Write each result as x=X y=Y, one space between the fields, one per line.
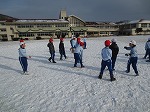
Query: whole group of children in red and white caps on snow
x=108 y=53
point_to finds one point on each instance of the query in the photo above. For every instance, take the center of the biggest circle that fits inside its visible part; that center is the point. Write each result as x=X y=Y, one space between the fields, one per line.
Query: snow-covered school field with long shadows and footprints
x=61 y=88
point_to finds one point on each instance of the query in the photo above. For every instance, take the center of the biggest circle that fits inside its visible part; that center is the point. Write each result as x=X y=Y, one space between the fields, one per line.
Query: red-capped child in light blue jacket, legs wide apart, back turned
x=106 y=54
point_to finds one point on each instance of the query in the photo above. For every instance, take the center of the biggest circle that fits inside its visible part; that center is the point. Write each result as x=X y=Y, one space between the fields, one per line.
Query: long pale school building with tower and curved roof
x=13 y=29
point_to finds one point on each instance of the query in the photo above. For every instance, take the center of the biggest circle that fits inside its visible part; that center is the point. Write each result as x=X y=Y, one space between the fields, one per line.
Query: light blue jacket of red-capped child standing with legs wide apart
x=106 y=53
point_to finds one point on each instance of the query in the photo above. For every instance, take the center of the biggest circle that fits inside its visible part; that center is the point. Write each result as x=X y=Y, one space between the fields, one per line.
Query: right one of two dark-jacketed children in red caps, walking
x=62 y=49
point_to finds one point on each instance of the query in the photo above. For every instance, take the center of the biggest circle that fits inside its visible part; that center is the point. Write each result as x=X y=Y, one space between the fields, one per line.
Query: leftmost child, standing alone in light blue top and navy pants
x=23 y=57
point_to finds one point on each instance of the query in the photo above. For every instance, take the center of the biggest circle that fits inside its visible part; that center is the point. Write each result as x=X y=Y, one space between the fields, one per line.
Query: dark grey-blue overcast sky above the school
x=87 y=10
